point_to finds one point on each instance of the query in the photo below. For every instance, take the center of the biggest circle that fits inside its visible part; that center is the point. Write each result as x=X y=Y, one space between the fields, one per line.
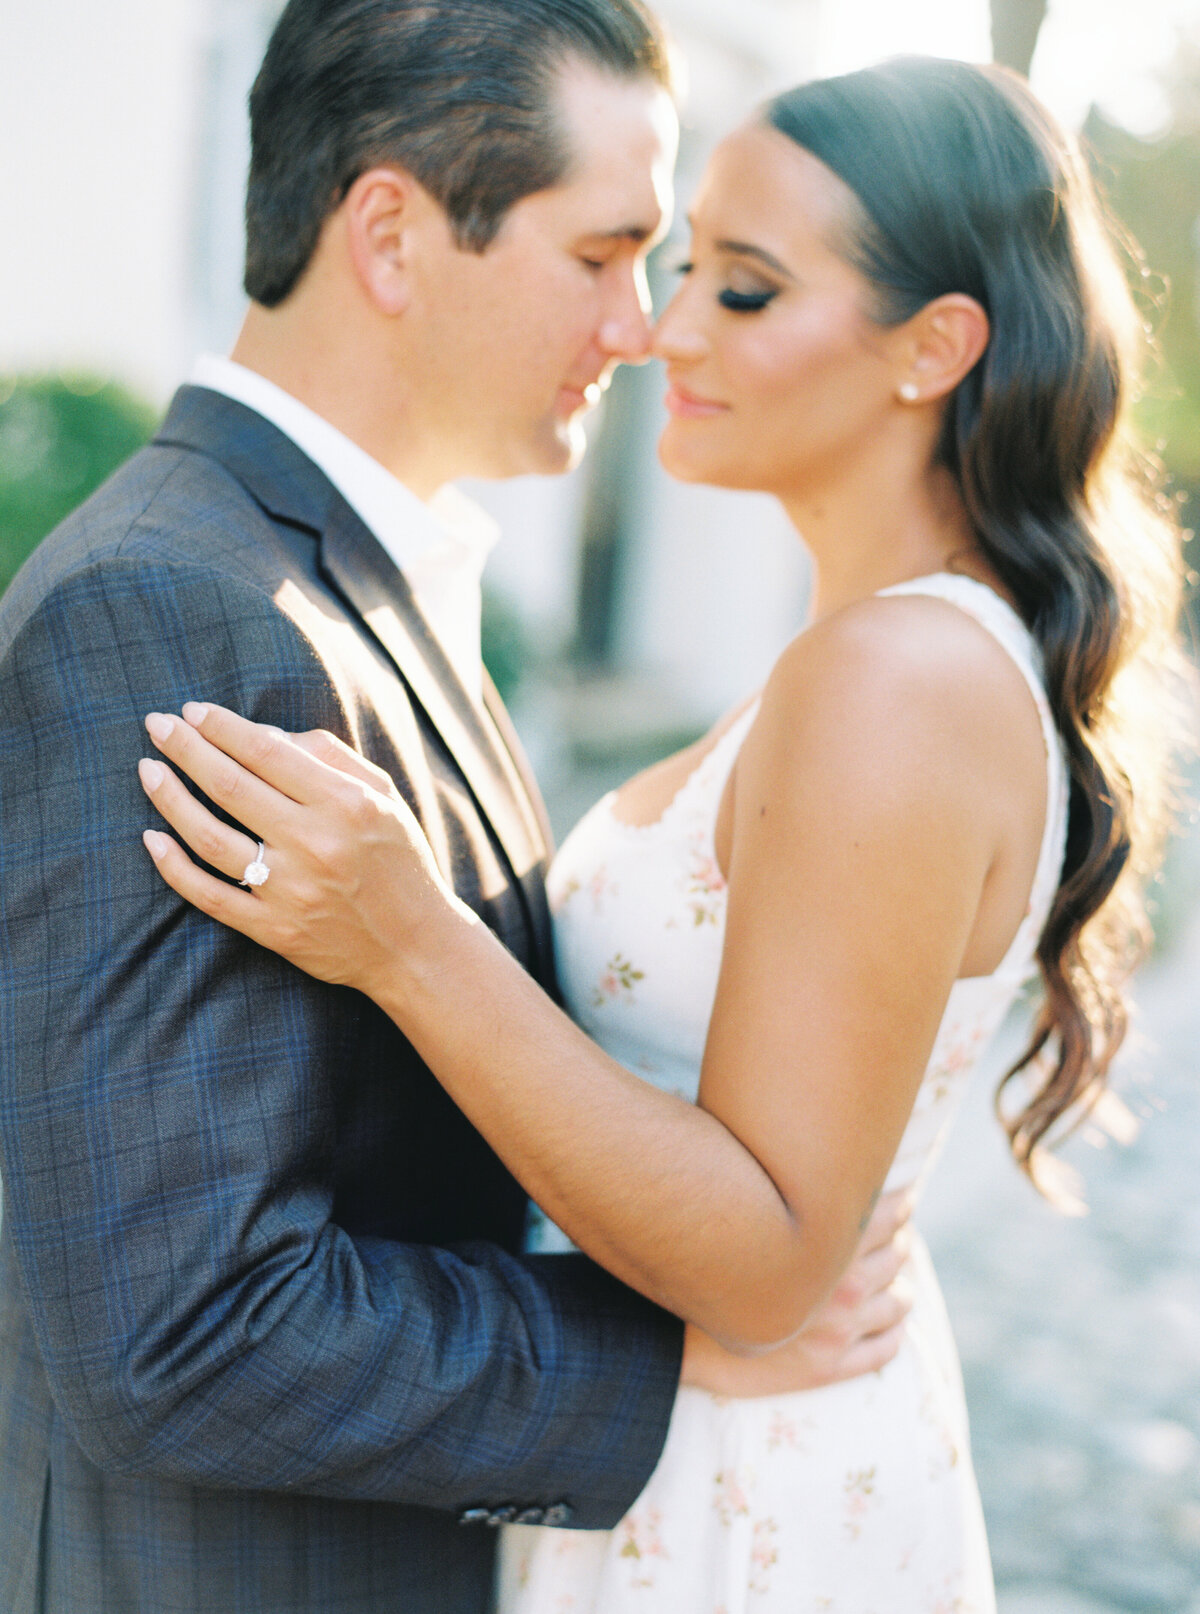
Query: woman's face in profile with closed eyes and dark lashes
x=779 y=380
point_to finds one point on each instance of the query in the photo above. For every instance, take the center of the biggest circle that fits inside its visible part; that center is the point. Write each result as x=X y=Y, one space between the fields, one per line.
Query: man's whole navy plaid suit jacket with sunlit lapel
x=266 y=1337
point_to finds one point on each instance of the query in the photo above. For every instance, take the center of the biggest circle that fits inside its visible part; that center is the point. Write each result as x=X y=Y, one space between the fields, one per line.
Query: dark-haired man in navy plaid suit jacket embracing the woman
x=266 y=1342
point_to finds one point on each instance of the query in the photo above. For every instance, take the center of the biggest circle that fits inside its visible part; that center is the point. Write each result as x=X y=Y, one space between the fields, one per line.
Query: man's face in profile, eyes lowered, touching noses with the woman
x=516 y=345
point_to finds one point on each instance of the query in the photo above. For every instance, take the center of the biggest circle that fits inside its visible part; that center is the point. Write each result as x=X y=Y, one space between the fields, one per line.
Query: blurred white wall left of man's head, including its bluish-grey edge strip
x=125 y=156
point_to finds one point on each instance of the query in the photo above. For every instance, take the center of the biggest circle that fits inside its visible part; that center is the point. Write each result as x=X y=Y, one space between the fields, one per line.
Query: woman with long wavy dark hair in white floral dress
x=902 y=319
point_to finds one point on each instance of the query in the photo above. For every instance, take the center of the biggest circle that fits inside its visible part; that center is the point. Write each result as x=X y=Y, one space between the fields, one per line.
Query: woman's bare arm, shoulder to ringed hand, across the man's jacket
x=865 y=827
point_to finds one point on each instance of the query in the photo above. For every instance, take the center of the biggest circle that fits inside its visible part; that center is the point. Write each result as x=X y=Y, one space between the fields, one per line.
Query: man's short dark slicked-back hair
x=456 y=91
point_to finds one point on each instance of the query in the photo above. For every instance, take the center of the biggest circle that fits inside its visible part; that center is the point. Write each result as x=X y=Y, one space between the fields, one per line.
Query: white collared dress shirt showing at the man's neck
x=438 y=546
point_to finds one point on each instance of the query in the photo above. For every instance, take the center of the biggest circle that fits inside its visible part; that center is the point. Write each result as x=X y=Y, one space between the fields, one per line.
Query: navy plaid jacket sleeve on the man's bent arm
x=169 y=1100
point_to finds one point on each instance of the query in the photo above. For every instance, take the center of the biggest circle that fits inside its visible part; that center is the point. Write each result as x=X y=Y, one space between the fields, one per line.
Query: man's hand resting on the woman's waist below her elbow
x=858 y=1331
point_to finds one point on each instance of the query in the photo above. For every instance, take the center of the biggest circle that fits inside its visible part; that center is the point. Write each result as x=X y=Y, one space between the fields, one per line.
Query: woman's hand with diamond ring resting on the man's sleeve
x=353 y=884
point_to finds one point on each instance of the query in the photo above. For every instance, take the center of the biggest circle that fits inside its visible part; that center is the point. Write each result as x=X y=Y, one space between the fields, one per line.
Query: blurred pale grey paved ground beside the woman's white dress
x=1081 y=1339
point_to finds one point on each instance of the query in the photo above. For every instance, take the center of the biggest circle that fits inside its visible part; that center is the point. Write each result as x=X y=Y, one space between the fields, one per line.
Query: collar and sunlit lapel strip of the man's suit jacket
x=290 y=488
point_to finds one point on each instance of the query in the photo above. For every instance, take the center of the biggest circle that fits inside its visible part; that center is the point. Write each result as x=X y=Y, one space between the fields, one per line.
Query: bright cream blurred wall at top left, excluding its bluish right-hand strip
x=96 y=123
